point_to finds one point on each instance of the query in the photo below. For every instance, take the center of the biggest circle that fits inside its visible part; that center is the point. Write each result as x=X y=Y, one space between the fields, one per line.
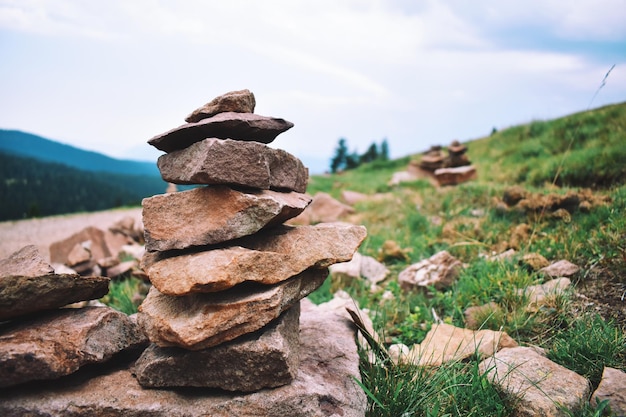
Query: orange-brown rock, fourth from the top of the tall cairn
x=214 y=214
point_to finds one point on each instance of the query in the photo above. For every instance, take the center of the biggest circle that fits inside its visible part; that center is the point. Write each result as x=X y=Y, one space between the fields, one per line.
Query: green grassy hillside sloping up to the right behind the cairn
x=577 y=215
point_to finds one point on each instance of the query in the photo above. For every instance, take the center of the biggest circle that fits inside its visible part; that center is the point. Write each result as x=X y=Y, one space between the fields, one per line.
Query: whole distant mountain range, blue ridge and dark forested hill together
x=40 y=177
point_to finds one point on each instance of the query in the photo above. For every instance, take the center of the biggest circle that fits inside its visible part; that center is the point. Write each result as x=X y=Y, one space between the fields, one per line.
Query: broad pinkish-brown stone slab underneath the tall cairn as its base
x=324 y=386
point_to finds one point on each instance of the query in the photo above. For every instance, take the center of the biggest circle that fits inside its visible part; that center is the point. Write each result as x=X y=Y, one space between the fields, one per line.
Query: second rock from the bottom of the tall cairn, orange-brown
x=199 y=321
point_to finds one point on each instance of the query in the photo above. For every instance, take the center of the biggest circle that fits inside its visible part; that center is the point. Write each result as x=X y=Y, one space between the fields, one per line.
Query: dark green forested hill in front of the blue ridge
x=33 y=188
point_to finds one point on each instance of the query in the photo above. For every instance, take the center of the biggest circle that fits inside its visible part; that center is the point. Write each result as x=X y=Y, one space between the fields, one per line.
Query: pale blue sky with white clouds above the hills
x=107 y=76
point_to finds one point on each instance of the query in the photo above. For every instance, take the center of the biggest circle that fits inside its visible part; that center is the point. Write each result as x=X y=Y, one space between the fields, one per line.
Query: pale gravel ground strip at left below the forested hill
x=41 y=232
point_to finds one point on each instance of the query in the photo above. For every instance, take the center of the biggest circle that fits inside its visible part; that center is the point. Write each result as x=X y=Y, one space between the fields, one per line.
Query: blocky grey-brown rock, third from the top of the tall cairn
x=232 y=162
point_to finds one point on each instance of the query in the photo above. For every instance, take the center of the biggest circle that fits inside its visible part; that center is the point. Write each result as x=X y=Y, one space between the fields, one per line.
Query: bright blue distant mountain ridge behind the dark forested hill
x=33 y=146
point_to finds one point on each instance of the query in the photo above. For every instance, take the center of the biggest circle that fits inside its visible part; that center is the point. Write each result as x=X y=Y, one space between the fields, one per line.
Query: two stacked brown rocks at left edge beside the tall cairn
x=41 y=341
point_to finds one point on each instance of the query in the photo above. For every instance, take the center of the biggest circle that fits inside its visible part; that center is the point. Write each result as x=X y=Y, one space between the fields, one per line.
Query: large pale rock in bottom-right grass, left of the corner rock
x=543 y=388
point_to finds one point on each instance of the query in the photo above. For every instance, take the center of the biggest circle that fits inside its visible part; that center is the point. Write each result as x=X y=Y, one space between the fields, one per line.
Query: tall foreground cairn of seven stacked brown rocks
x=227 y=272
